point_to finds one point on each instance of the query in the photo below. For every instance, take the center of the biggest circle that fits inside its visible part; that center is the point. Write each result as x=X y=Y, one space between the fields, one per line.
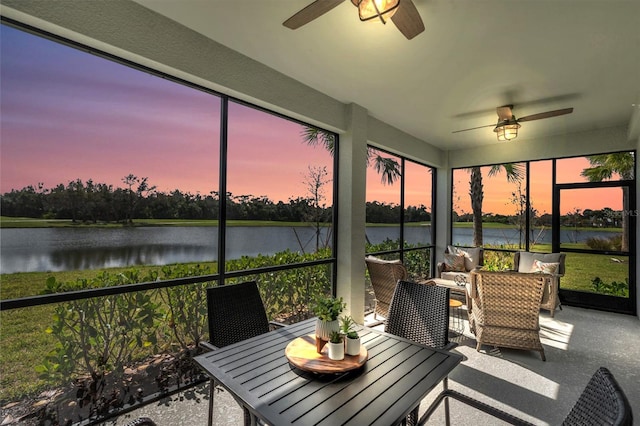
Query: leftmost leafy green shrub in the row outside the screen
x=97 y=335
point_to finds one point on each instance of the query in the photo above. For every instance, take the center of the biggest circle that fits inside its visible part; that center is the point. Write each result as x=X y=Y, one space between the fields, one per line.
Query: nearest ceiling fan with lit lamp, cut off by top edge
x=403 y=14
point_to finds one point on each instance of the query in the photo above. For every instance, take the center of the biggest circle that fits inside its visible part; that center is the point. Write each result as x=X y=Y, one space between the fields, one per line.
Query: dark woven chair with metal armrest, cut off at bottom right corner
x=602 y=402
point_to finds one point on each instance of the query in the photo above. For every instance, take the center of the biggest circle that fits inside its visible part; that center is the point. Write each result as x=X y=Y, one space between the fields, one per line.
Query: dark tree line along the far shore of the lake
x=91 y=202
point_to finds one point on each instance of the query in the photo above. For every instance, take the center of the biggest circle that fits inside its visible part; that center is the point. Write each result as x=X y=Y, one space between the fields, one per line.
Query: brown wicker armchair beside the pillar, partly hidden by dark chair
x=384 y=275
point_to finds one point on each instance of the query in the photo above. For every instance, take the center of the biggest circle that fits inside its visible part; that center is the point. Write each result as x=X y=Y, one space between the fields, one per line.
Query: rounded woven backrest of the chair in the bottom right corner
x=601 y=403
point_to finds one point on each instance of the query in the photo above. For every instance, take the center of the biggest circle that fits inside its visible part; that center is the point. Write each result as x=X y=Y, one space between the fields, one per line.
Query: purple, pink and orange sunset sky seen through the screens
x=69 y=115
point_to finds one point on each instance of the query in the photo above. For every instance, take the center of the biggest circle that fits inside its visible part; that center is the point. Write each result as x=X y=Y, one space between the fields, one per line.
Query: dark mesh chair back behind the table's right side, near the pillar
x=420 y=313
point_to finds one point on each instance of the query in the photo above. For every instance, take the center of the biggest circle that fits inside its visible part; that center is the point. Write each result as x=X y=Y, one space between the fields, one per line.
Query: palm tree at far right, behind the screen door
x=603 y=167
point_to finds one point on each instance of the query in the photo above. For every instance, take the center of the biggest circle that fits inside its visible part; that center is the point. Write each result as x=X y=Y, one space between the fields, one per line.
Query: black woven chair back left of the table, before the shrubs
x=236 y=313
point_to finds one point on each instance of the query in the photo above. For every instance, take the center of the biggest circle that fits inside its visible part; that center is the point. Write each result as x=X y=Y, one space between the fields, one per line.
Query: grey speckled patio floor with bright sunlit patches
x=577 y=342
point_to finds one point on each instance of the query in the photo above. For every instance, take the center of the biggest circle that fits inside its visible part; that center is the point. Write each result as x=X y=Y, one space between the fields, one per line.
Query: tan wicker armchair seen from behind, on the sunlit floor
x=505 y=309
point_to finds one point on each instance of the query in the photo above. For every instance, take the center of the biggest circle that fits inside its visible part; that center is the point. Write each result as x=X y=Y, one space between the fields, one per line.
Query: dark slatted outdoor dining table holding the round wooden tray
x=396 y=377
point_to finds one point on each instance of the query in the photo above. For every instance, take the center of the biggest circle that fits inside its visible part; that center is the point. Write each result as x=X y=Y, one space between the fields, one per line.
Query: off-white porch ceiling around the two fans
x=474 y=55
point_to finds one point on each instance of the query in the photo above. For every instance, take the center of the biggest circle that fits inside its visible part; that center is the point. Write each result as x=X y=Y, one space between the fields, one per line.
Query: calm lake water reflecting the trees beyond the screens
x=59 y=249
